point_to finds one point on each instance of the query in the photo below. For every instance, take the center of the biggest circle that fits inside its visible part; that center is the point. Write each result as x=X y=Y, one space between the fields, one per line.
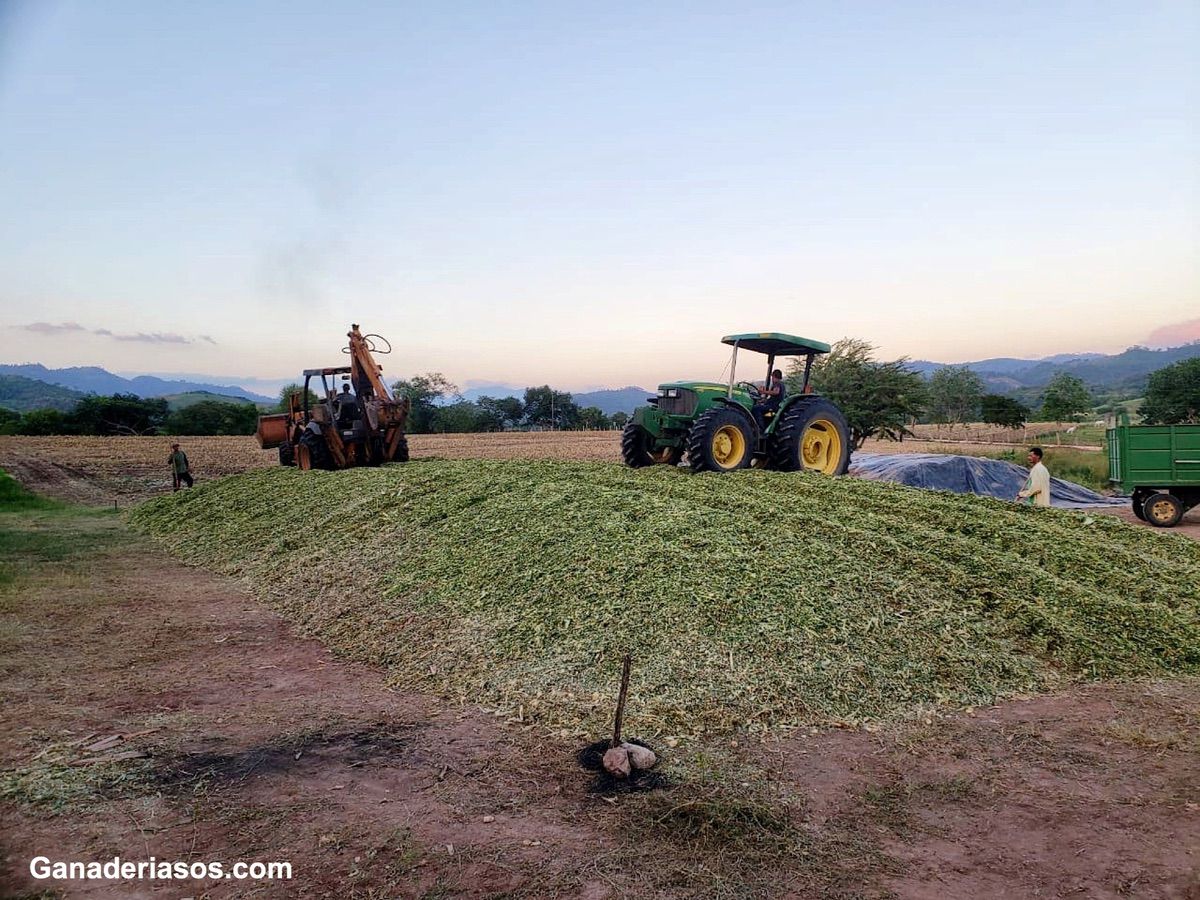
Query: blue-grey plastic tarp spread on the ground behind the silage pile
x=970 y=475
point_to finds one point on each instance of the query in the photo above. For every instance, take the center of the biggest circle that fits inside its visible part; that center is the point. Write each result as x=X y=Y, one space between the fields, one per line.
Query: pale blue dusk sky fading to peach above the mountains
x=592 y=194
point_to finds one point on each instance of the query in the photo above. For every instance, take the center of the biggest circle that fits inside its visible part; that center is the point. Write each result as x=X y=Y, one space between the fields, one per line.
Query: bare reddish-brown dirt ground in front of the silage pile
x=250 y=743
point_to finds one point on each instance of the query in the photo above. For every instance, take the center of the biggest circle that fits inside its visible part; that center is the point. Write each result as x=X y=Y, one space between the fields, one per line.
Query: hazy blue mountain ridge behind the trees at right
x=1125 y=371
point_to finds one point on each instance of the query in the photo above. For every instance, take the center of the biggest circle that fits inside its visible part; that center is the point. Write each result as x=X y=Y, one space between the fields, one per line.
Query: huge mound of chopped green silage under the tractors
x=755 y=601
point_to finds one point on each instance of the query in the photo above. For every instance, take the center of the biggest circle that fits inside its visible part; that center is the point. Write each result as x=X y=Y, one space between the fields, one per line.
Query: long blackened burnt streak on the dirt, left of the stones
x=299 y=754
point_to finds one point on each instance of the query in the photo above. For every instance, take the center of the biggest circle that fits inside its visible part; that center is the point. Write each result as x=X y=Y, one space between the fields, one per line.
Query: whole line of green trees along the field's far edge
x=880 y=399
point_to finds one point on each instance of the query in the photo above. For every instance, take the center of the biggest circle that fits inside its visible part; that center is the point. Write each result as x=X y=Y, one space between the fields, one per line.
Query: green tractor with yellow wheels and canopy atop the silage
x=723 y=428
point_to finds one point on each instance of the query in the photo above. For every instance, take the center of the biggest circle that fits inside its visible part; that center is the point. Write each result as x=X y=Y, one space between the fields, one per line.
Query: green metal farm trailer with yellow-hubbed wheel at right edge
x=1160 y=467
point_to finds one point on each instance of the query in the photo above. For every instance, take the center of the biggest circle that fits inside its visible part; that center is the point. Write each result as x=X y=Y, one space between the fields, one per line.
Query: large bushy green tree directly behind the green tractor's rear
x=878 y=399
